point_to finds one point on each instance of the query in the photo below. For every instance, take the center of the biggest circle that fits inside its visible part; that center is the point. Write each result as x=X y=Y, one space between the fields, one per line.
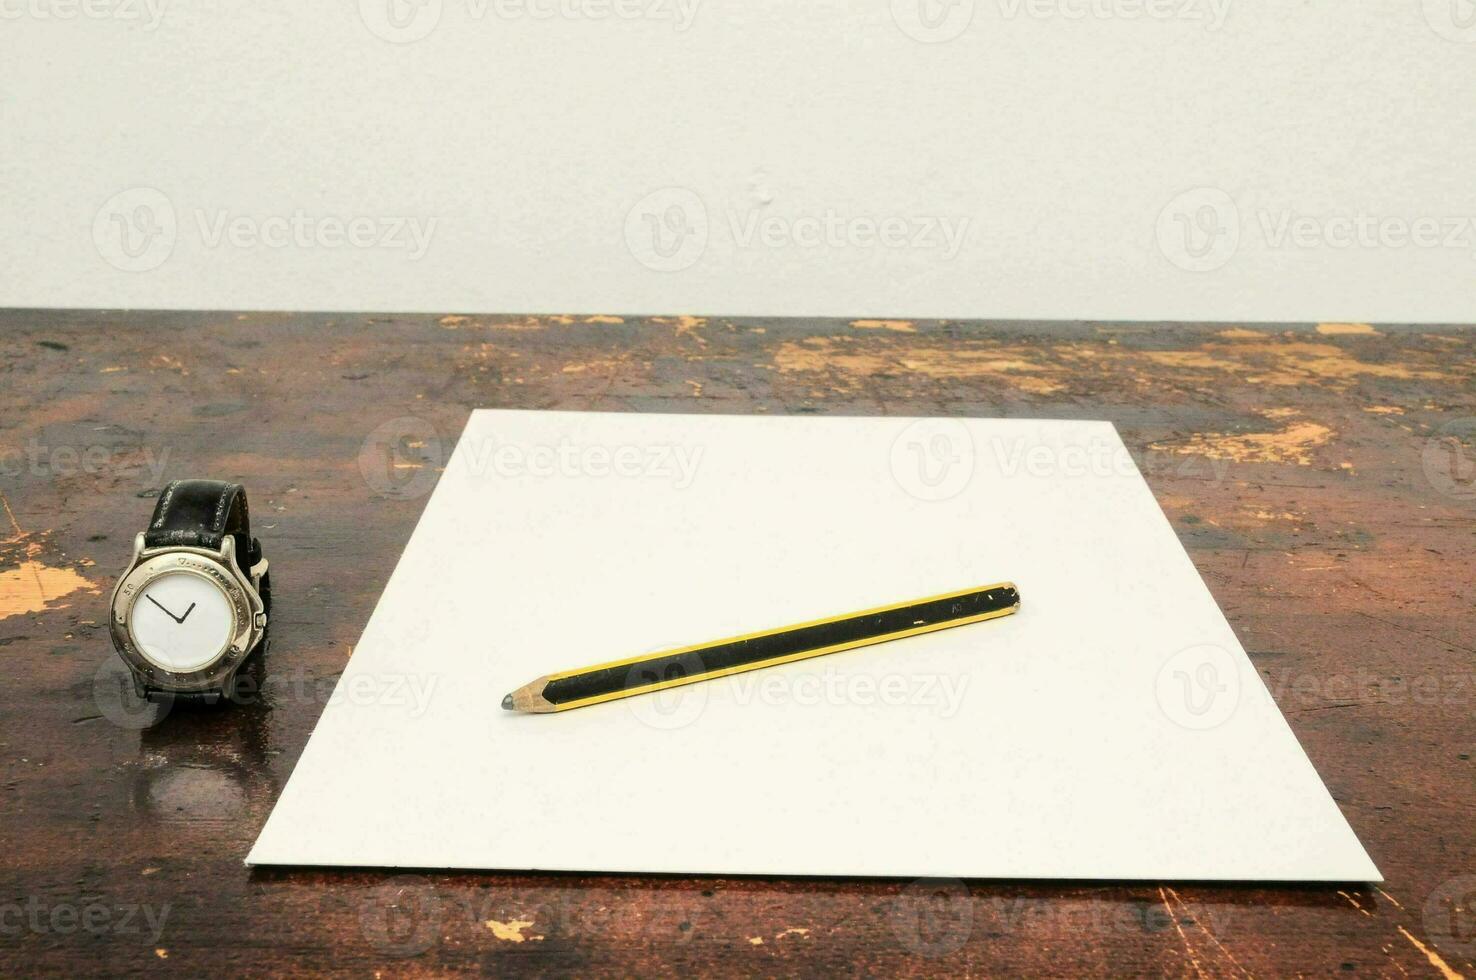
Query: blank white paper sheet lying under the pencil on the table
x=1114 y=728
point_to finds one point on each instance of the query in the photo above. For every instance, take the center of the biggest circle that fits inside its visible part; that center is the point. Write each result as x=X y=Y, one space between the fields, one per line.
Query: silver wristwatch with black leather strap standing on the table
x=194 y=601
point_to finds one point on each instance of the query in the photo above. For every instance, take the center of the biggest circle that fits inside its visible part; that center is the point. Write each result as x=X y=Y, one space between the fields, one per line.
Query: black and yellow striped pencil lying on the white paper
x=752 y=652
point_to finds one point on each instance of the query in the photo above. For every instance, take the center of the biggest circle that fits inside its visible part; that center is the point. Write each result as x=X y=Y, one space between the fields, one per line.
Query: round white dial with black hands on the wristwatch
x=182 y=622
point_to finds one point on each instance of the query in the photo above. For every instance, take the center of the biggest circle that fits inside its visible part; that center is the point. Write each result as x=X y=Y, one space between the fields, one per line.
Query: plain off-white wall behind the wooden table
x=528 y=150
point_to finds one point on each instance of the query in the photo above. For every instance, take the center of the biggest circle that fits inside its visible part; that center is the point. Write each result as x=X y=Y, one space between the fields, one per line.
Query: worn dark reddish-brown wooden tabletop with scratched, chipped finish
x=1323 y=479
